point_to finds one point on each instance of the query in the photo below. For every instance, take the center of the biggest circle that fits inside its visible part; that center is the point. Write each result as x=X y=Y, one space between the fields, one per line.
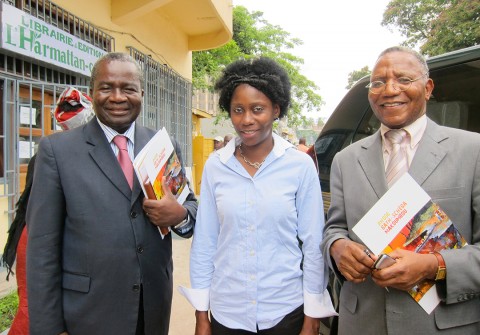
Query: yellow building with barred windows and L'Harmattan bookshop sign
x=46 y=46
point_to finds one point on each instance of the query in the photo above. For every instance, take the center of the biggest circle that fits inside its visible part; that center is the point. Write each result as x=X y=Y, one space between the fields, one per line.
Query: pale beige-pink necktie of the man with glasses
x=397 y=164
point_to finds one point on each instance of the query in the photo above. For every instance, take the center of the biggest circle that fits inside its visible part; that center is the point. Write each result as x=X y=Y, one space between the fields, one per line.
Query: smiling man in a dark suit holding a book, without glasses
x=96 y=263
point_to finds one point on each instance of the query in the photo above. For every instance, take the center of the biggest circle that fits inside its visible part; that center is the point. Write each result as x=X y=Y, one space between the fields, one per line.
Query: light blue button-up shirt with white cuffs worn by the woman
x=246 y=256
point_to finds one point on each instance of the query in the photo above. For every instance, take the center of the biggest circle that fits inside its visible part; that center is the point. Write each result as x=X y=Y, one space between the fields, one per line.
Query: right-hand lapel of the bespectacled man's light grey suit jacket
x=429 y=153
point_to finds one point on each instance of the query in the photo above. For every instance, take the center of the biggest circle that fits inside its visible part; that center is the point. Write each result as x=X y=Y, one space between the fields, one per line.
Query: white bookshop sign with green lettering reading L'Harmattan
x=32 y=37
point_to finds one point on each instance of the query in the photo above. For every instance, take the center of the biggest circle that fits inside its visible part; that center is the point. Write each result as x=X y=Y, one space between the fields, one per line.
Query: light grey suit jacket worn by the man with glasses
x=447 y=166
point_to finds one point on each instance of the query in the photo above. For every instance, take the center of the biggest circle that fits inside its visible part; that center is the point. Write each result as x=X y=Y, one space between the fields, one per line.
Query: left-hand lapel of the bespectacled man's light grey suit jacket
x=371 y=162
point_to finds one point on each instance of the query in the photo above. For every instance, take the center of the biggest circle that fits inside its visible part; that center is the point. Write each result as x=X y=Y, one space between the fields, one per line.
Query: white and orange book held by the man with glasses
x=406 y=217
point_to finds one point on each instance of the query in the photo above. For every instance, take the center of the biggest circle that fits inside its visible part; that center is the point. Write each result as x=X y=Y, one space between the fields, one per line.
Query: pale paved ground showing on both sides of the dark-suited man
x=183 y=315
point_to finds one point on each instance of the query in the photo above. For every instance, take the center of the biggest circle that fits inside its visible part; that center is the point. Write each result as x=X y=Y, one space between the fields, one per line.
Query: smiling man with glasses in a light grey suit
x=446 y=163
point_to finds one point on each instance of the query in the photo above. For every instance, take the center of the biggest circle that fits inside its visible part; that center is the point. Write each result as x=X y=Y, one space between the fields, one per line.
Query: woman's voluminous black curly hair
x=262 y=73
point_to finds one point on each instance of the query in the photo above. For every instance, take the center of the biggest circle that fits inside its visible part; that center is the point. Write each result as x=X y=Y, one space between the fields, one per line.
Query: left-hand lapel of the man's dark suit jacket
x=102 y=154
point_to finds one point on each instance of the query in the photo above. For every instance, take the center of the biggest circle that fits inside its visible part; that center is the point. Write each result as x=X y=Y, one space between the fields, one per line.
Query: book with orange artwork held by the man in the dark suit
x=156 y=160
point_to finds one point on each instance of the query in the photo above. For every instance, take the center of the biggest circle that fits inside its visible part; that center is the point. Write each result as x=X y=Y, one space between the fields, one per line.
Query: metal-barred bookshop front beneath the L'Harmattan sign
x=27 y=116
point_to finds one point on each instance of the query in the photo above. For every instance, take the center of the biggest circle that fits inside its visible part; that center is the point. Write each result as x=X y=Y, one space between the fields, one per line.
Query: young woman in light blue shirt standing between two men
x=255 y=261
